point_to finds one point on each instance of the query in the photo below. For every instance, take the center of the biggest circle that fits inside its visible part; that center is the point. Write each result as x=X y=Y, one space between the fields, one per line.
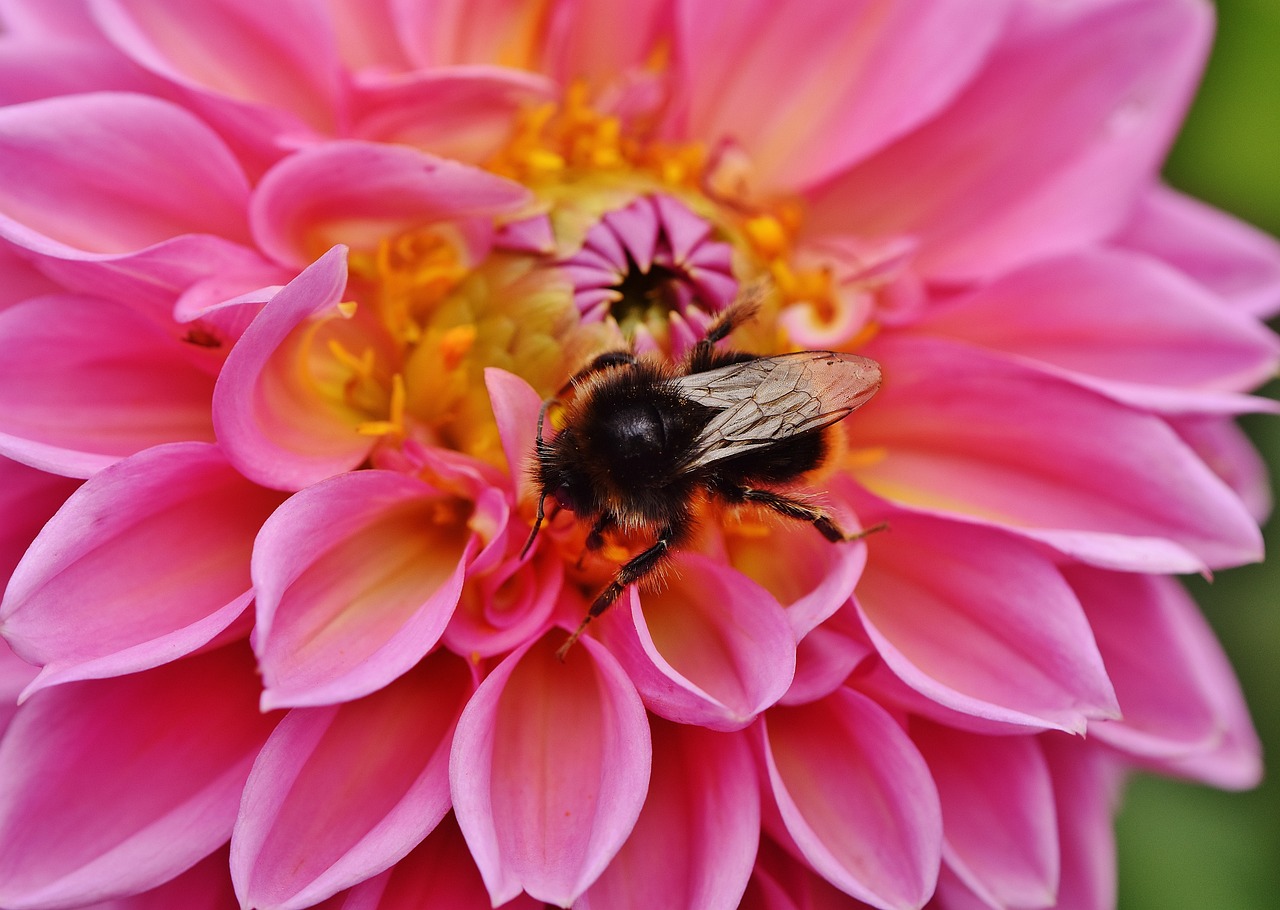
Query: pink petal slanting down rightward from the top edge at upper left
x=218 y=49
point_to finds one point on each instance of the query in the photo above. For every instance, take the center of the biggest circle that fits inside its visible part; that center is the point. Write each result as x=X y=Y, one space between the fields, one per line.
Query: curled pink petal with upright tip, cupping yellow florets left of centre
x=277 y=428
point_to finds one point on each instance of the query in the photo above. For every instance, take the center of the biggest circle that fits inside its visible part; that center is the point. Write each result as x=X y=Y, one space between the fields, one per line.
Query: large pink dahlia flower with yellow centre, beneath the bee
x=285 y=286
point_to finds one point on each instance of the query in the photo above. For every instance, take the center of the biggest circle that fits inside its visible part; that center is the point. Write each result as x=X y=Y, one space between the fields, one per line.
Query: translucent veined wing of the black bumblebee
x=771 y=399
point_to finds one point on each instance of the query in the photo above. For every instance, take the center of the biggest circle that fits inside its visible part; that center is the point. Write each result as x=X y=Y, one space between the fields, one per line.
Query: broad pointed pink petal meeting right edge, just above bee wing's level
x=1121 y=318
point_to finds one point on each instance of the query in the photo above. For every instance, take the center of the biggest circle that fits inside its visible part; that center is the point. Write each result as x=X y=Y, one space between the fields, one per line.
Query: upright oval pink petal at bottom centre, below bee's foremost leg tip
x=550 y=771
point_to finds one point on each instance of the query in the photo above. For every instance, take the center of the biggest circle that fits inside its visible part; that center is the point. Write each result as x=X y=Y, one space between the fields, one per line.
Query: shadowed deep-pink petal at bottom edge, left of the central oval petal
x=440 y=874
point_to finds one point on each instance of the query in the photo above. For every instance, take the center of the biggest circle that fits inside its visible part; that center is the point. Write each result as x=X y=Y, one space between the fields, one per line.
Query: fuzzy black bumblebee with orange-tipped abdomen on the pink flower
x=644 y=441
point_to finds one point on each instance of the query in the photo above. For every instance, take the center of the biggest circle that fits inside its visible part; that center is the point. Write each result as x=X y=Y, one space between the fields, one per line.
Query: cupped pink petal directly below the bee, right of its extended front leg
x=710 y=648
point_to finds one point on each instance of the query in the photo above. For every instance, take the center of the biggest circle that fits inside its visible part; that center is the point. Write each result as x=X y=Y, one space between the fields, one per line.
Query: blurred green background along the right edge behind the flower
x=1185 y=847
